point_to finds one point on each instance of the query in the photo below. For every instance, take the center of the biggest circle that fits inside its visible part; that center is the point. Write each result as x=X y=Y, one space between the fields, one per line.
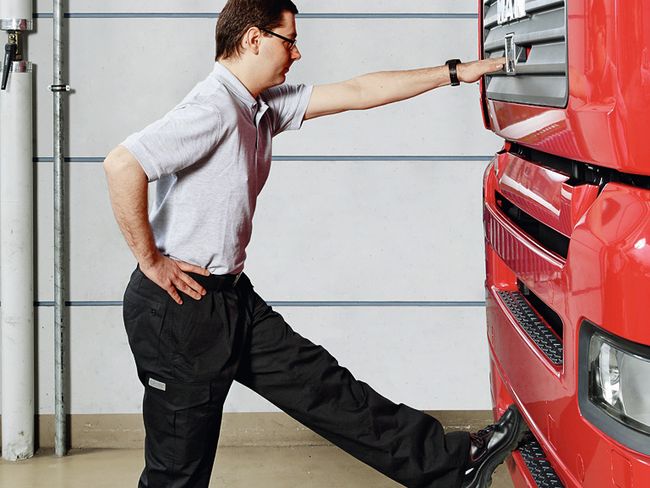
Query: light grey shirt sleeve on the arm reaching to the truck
x=288 y=104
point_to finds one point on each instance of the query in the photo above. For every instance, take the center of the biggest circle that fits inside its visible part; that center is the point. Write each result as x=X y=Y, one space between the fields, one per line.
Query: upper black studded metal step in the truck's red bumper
x=531 y=323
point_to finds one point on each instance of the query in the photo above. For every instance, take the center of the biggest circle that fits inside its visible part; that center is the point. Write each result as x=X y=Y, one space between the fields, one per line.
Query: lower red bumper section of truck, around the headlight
x=604 y=279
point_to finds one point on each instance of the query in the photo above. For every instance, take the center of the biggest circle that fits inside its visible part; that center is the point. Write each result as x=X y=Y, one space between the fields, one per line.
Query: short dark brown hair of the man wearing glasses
x=240 y=15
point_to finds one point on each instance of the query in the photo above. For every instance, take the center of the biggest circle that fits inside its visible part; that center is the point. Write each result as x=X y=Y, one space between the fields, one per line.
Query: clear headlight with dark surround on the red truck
x=615 y=385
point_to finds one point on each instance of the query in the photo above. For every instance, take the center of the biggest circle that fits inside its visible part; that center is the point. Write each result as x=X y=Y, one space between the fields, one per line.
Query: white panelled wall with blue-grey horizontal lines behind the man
x=393 y=213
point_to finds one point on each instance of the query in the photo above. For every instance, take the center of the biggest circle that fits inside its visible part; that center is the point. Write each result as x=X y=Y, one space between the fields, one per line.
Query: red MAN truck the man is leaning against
x=567 y=236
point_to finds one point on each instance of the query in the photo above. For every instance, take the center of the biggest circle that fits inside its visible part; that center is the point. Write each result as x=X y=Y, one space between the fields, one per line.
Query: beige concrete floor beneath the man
x=237 y=467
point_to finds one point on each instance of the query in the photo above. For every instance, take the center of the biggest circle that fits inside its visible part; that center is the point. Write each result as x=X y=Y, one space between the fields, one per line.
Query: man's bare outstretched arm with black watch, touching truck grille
x=376 y=89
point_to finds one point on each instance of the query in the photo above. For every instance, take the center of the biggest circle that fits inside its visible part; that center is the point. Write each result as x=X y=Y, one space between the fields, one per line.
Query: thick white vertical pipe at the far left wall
x=16 y=264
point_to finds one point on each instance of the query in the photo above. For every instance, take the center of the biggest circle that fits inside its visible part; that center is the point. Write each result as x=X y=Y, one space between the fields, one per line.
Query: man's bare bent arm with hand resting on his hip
x=128 y=188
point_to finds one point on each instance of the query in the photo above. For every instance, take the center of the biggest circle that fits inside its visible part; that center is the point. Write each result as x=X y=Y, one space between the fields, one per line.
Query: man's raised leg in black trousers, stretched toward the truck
x=305 y=381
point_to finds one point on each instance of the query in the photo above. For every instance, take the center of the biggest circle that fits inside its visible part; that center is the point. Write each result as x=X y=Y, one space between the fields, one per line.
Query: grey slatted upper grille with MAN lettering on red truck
x=540 y=41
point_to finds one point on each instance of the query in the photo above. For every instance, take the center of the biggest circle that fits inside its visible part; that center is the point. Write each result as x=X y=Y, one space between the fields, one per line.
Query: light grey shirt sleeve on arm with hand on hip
x=181 y=138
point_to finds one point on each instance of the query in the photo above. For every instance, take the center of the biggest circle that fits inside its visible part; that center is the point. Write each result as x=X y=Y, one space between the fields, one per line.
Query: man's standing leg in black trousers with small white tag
x=186 y=356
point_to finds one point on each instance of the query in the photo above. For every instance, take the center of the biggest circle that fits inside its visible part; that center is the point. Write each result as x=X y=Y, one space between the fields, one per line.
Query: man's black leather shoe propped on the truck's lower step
x=490 y=447
